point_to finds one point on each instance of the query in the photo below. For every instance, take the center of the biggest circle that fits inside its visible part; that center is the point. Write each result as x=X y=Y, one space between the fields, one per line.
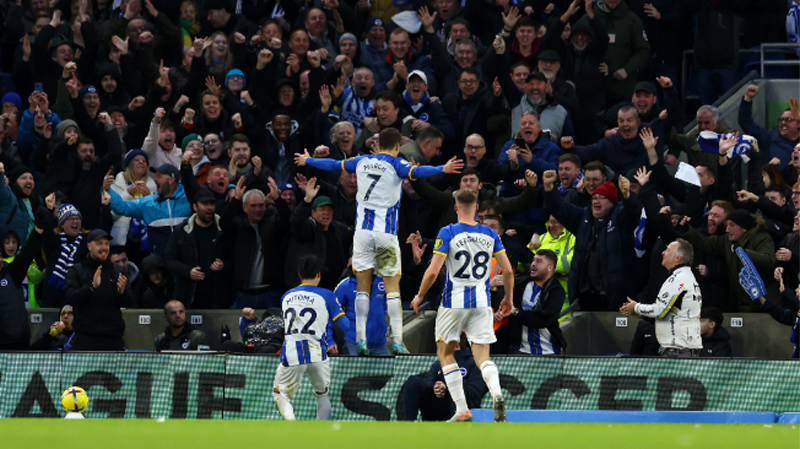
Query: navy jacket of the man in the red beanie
x=615 y=243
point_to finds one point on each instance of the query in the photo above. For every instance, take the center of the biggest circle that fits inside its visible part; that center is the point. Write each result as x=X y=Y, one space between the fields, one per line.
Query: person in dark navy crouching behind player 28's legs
x=429 y=396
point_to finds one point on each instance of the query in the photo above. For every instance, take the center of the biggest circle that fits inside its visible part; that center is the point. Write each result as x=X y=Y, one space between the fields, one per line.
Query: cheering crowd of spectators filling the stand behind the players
x=152 y=143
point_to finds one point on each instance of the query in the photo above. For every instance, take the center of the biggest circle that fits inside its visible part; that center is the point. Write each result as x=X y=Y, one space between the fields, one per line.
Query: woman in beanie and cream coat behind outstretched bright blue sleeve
x=134 y=182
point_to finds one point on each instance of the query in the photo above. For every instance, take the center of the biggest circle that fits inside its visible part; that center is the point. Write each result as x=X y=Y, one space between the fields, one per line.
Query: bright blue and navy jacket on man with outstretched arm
x=161 y=215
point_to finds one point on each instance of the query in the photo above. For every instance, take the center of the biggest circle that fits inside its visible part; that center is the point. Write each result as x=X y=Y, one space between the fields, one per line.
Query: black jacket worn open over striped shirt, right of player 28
x=544 y=314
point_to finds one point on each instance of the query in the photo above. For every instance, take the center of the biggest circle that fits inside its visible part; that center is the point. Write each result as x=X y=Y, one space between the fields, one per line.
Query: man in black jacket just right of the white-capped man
x=469 y=108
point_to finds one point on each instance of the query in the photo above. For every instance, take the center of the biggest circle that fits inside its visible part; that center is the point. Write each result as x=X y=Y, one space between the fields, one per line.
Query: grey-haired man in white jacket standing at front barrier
x=677 y=308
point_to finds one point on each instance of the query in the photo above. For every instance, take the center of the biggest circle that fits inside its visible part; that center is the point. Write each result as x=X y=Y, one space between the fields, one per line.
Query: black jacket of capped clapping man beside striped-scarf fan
x=97 y=312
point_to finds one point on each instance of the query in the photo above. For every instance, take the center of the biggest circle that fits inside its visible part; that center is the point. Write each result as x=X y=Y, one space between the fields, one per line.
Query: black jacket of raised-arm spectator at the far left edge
x=13 y=316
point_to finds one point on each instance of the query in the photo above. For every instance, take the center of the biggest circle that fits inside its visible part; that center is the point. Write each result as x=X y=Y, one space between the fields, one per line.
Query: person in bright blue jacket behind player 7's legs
x=376 y=319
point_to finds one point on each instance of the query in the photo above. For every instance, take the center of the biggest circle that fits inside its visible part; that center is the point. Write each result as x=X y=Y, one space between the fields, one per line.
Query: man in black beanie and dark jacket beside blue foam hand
x=748 y=232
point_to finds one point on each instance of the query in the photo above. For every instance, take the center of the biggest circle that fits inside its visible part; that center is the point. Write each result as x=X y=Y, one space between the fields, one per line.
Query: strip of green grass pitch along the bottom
x=218 y=434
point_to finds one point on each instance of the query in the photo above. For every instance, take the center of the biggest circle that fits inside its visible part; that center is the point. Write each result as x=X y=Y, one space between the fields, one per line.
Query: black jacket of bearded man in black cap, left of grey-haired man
x=181 y=256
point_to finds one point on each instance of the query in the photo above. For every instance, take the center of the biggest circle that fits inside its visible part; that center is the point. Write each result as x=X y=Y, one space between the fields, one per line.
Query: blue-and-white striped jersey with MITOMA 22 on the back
x=306 y=312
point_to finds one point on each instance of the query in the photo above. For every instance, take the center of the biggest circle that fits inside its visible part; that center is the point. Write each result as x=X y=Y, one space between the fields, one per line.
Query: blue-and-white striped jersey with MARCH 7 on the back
x=380 y=187
